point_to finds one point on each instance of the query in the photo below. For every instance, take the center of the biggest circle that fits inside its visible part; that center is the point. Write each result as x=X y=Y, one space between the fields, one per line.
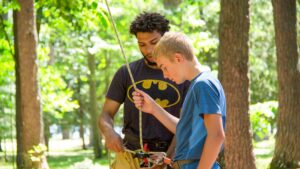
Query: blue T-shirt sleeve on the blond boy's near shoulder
x=208 y=98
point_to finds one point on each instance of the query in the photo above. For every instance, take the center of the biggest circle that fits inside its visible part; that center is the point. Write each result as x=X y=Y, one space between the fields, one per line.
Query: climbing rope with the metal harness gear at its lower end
x=142 y=153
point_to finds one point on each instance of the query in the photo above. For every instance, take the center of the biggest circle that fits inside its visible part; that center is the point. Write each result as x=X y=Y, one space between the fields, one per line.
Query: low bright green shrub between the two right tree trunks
x=263 y=119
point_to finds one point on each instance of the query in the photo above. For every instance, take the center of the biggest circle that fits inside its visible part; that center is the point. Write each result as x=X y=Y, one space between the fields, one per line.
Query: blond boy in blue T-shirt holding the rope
x=200 y=130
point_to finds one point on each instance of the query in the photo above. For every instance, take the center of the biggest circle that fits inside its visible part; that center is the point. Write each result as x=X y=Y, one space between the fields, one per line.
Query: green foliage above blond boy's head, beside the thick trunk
x=201 y=27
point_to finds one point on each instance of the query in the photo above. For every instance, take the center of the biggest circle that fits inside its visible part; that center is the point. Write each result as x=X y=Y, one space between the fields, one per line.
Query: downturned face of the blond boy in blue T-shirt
x=171 y=69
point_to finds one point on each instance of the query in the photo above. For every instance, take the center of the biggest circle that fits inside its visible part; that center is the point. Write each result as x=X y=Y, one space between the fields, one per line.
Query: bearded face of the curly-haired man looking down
x=146 y=42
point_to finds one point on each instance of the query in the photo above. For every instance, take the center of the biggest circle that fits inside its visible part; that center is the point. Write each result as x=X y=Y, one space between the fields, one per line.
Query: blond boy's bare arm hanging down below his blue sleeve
x=213 y=142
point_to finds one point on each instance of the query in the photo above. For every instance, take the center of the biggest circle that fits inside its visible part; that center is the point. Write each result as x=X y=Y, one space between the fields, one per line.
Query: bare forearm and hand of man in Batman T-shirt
x=106 y=120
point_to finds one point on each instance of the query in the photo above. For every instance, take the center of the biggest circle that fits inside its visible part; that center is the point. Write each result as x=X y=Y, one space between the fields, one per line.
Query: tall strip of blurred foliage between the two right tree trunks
x=263 y=75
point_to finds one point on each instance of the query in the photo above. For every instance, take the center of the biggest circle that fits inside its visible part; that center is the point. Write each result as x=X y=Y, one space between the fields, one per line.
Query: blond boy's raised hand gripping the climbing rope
x=144 y=102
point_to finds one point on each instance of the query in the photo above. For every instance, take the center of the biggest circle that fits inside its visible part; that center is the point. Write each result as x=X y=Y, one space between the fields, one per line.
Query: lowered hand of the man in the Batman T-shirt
x=114 y=142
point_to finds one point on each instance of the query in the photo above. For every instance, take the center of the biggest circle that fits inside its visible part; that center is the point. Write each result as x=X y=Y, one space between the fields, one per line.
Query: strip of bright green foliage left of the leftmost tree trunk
x=7 y=78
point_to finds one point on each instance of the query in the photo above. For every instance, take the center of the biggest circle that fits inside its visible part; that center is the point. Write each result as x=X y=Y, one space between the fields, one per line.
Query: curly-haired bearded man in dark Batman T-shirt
x=148 y=28
